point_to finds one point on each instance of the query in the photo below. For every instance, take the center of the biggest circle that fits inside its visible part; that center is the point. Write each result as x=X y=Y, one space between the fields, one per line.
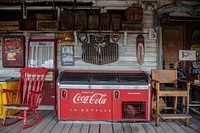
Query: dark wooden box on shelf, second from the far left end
x=28 y=24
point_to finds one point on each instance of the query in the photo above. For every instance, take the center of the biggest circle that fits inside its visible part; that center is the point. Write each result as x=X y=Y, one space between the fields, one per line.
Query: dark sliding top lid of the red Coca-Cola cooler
x=98 y=78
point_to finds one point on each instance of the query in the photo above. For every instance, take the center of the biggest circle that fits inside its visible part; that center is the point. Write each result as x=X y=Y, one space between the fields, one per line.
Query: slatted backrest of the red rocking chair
x=31 y=83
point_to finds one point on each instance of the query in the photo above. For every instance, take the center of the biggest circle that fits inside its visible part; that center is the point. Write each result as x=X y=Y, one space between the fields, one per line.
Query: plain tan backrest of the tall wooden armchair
x=164 y=76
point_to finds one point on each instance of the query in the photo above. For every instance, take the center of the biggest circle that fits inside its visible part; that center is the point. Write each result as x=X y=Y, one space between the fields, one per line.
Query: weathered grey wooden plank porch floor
x=50 y=124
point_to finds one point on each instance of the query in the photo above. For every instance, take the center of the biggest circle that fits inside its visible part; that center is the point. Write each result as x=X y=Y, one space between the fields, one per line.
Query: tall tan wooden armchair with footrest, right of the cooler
x=166 y=84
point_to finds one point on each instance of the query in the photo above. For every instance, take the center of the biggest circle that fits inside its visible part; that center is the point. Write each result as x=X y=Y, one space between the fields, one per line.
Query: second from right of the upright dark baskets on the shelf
x=104 y=21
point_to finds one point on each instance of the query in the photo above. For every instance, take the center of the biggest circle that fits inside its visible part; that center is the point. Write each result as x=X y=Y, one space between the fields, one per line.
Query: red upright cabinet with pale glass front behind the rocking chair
x=42 y=53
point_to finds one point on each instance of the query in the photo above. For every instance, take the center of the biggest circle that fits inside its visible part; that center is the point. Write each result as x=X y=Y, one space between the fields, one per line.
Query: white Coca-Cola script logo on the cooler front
x=95 y=98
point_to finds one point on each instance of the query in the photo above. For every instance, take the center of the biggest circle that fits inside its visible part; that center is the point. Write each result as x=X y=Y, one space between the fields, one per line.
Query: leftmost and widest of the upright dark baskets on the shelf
x=67 y=20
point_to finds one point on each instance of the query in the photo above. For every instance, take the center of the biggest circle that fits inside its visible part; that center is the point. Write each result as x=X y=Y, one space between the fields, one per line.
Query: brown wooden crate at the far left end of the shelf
x=9 y=25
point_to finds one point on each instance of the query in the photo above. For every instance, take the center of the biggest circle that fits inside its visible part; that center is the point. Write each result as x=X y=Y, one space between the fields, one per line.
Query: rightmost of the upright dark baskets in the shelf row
x=116 y=21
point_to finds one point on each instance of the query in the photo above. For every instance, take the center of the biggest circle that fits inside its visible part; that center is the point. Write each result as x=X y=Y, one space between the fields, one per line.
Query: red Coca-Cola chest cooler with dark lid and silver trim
x=104 y=95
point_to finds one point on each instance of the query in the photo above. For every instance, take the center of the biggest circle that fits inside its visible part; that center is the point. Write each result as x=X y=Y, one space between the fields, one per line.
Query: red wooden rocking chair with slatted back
x=29 y=93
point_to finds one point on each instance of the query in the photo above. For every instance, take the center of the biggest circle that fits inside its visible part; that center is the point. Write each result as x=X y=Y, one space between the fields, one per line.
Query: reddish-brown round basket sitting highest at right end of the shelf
x=134 y=13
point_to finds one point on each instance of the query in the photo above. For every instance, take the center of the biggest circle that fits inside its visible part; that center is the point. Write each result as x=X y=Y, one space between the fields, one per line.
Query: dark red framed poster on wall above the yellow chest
x=13 y=51
